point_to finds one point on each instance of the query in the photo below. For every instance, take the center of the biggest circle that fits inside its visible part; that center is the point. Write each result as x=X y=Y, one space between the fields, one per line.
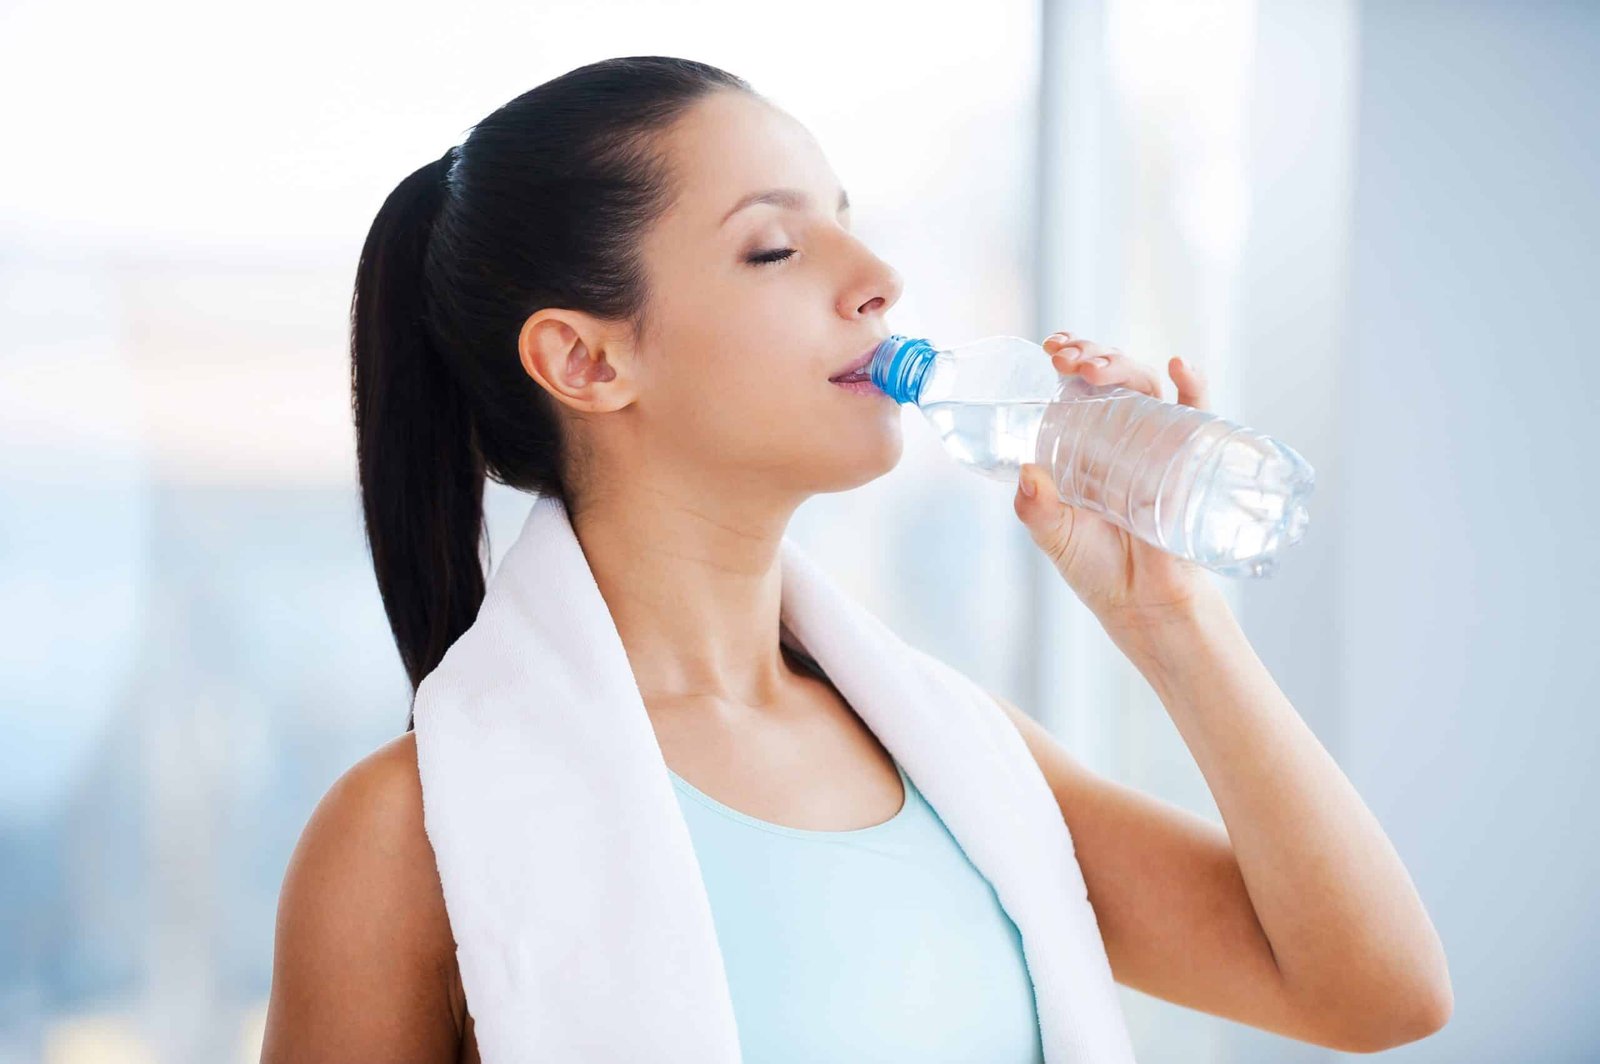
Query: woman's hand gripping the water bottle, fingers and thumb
x=1121 y=578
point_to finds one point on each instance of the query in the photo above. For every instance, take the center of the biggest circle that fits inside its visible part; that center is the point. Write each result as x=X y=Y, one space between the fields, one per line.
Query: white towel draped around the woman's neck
x=582 y=922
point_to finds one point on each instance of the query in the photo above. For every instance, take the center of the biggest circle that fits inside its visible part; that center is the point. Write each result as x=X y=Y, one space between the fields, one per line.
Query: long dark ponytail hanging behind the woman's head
x=417 y=450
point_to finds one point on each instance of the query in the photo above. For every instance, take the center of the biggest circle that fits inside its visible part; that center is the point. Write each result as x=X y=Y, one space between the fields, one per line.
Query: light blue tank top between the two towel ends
x=878 y=945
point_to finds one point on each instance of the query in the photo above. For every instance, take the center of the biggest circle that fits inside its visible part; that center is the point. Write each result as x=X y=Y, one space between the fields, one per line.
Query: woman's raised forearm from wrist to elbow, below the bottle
x=1330 y=892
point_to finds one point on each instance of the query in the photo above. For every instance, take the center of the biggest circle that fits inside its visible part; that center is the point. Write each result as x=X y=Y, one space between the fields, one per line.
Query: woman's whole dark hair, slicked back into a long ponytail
x=543 y=206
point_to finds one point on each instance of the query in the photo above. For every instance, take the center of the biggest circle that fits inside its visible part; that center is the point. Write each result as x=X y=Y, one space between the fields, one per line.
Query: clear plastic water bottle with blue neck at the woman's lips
x=1182 y=479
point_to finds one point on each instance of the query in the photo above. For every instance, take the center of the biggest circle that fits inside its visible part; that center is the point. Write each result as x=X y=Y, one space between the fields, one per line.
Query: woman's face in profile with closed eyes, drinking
x=730 y=388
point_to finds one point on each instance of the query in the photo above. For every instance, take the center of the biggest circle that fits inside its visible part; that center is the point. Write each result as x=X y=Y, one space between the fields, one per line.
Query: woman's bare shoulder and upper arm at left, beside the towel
x=364 y=961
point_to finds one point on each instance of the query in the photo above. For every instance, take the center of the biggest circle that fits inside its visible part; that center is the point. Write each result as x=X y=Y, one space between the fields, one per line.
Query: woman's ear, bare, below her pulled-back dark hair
x=578 y=359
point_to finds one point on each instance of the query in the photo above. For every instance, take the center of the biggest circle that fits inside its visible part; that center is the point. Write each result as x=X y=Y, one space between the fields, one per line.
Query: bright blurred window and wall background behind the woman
x=1372 y=223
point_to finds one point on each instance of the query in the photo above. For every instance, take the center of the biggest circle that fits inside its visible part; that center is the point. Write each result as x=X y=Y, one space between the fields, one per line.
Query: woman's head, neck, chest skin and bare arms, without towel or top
x=631 y=289
